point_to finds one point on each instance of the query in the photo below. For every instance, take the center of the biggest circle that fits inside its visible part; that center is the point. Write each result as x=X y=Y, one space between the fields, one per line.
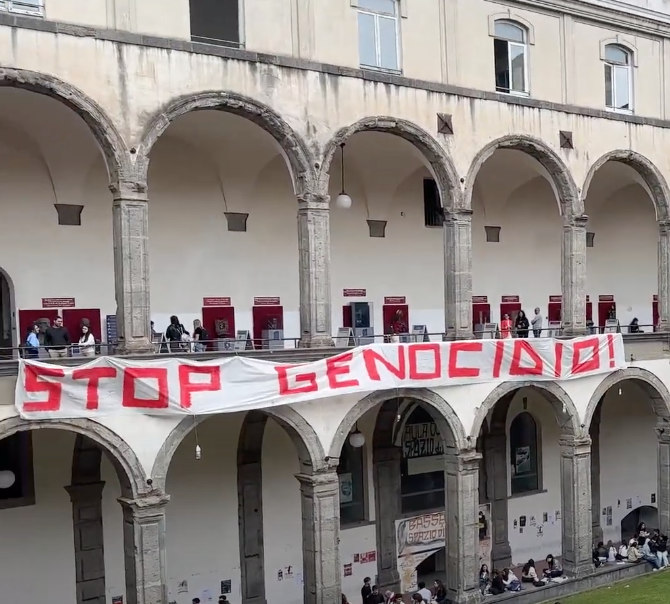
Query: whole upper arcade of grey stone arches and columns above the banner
x=128 y=164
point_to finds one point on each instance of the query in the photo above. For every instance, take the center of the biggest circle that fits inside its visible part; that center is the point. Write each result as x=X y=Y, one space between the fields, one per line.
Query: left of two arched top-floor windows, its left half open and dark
x=510 y=51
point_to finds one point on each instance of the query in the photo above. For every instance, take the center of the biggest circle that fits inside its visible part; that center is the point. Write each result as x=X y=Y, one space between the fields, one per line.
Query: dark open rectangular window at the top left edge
x=216 y=22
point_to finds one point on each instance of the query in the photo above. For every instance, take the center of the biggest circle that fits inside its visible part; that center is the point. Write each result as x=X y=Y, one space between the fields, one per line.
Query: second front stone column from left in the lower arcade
x=320 y=495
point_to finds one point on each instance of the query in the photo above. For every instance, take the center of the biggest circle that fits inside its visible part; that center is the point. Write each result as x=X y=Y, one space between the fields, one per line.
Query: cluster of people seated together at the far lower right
x=643 y=547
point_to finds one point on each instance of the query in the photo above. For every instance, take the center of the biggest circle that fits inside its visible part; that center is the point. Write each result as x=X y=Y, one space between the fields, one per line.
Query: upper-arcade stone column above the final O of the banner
x=573 y=275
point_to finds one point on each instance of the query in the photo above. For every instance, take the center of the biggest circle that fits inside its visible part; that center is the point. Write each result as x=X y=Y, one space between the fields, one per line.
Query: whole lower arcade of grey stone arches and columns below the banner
x=466 y=455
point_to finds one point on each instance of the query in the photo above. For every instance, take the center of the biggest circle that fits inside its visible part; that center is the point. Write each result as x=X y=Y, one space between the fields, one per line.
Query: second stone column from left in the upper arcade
x=314 y=266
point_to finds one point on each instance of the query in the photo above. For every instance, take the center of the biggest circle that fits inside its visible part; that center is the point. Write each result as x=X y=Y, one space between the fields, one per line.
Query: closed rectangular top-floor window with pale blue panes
x=378 y=34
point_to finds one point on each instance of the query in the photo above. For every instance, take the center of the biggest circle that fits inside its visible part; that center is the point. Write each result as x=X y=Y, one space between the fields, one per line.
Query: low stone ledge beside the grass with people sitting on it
x=556 y=591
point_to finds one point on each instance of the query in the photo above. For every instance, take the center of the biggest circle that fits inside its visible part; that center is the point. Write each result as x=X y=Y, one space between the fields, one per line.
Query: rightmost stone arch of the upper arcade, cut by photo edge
x=653 y=179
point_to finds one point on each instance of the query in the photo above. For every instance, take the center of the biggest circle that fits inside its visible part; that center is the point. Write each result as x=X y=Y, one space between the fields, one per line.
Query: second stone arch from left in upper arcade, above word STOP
x=299 y=158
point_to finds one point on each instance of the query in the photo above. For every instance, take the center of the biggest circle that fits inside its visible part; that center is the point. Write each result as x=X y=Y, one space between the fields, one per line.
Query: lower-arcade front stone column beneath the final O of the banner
x=576 y=521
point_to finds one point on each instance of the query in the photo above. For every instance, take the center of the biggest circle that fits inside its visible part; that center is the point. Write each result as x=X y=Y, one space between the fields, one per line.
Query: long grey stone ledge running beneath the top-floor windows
x=122 y=37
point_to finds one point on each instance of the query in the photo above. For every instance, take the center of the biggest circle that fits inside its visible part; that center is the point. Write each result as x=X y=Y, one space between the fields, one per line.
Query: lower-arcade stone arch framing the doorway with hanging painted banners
x=445 y=417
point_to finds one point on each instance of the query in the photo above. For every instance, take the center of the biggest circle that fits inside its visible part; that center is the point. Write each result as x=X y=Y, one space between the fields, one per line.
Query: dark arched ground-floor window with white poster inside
x=523 y=444
